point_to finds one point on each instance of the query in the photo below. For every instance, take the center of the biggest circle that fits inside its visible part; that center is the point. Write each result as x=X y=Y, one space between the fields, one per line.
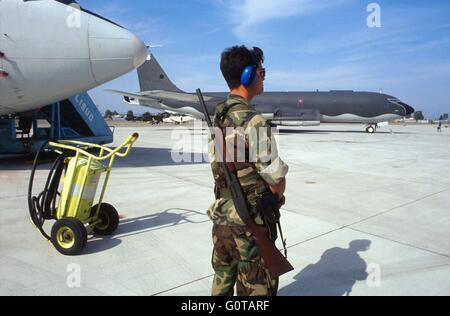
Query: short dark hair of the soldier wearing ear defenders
x=235 y=59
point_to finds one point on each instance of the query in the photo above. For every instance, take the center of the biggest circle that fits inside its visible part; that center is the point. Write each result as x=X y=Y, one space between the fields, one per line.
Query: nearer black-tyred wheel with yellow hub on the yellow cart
x=69 y=236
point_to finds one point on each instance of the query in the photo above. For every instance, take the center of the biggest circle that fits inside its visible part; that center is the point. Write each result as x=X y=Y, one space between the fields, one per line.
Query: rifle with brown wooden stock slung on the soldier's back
x=276 y=263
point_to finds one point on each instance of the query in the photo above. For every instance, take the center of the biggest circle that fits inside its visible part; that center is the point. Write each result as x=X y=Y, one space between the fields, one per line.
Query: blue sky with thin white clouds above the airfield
x=309 y=45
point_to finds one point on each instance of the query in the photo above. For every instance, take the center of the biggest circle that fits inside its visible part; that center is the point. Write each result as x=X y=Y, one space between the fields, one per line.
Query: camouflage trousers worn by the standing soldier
x=237 y=261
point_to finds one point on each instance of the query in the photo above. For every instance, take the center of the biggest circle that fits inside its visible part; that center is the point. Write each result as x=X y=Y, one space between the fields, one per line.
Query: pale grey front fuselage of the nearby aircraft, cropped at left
x=51 y=50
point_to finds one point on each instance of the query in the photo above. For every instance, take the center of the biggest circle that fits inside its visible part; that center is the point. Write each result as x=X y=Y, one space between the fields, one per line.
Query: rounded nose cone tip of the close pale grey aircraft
x=113 y=50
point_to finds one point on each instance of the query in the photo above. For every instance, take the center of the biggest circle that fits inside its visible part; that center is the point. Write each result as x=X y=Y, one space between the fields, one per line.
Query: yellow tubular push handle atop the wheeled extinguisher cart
x=70 y=145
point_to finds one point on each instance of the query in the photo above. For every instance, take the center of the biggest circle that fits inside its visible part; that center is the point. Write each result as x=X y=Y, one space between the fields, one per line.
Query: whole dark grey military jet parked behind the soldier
x=279 y=108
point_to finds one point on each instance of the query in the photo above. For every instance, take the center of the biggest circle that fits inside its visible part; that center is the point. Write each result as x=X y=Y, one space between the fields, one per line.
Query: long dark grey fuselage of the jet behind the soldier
x=333 y=106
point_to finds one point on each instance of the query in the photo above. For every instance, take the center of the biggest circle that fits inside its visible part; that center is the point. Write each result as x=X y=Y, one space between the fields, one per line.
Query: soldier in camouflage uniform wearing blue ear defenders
x=236 y=259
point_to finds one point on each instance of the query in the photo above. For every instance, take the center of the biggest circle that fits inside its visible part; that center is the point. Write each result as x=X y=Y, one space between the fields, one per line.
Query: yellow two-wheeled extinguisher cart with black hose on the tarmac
x=70 y=190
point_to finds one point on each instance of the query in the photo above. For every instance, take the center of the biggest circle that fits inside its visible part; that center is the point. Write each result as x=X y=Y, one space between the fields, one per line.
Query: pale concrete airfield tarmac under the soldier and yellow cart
x=365 y=215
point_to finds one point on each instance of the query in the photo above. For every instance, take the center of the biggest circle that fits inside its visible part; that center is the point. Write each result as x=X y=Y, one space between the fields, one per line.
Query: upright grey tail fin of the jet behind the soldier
x=152 y=77
